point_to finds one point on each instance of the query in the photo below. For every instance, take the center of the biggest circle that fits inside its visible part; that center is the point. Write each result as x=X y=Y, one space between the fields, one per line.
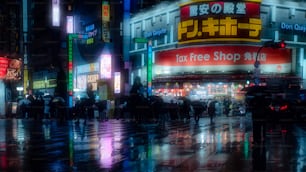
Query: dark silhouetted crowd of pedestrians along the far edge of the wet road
x=136 y=107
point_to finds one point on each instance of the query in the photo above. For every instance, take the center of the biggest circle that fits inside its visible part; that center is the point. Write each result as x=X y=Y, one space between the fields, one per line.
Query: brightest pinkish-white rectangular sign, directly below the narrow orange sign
x=105 y=66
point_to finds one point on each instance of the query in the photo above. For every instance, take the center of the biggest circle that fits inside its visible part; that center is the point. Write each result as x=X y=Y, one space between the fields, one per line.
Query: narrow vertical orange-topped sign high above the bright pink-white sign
x=105 y=21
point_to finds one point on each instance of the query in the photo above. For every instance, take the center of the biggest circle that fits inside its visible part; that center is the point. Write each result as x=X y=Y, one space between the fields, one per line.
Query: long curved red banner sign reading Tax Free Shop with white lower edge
x=220 y=59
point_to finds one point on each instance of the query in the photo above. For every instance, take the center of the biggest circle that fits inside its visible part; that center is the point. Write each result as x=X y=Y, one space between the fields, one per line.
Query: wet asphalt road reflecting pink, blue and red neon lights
x=119 y=145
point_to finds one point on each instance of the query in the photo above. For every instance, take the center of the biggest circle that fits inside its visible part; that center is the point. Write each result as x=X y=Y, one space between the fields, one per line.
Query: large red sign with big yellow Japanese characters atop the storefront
x=220 y=21
